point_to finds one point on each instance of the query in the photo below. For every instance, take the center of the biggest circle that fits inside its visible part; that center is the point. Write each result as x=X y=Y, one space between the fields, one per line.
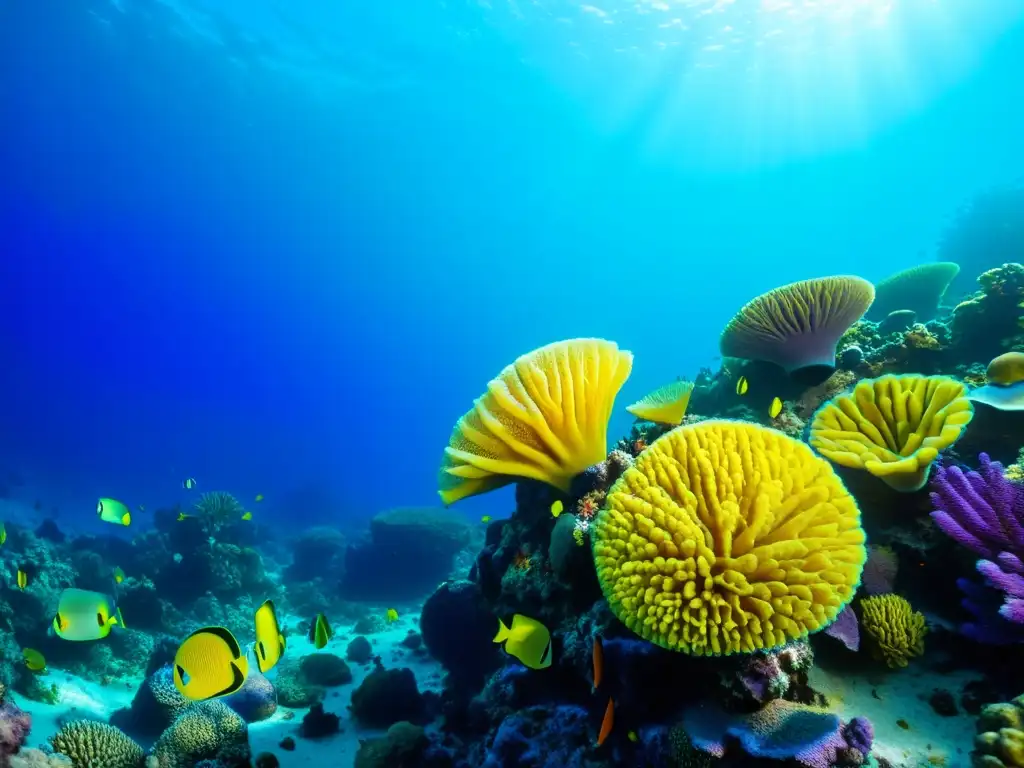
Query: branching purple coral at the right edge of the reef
x=985 y=513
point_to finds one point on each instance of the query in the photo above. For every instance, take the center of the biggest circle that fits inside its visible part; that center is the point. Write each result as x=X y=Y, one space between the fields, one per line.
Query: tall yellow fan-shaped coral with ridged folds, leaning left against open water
x=545 y=417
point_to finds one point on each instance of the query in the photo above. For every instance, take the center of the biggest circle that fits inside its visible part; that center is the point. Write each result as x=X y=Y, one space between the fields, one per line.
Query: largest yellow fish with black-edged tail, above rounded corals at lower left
x=209 y=664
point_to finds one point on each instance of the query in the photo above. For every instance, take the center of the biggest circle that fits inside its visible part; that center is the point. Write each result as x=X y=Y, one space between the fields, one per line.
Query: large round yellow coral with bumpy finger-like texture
x=727 y=538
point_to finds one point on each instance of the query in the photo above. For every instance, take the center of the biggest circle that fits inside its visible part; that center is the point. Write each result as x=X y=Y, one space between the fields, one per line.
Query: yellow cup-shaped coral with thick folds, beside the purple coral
x=893 y=426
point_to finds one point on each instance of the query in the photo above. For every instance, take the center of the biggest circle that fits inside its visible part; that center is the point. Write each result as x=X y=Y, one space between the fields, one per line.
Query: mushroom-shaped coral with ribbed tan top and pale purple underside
x=798 y=326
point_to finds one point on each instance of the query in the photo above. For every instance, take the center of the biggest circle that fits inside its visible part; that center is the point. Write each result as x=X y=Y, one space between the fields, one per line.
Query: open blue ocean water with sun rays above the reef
x=280 y=247
